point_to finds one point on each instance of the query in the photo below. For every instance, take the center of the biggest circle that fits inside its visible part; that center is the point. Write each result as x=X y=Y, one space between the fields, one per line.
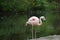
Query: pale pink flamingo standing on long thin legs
x=35 y=21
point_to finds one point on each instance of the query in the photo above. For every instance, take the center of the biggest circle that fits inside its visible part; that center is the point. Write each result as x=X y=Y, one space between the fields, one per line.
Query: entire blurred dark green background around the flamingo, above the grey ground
x=14 y=14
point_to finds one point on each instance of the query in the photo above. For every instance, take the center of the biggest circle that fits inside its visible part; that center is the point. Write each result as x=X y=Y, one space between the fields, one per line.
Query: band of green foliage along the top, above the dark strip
x=18 y=5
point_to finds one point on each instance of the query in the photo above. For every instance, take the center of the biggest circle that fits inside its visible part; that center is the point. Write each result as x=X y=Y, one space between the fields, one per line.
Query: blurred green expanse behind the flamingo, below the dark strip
x=14 y=26
